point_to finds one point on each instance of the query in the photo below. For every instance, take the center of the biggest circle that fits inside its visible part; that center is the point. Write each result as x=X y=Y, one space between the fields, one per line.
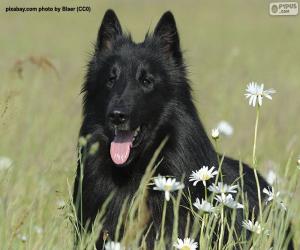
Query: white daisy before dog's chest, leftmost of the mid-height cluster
x=167 y=185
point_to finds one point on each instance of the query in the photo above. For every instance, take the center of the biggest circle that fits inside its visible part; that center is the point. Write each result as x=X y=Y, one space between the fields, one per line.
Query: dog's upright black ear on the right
x=166 y=31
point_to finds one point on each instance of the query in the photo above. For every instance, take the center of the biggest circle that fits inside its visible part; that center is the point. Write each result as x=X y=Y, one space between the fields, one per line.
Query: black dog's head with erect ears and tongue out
x=132 y=88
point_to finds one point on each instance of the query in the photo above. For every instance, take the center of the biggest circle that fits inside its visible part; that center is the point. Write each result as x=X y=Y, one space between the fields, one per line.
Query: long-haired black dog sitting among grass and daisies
x=136 y=94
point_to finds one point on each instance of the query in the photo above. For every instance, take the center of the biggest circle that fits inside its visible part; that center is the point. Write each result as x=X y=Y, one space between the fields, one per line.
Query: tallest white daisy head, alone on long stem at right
x=255 y=93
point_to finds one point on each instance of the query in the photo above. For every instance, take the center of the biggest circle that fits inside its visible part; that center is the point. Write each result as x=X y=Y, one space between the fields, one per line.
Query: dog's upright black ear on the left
x=109 y=30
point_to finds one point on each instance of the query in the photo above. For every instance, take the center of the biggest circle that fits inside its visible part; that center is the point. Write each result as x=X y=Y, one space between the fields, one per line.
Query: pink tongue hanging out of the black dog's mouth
x=120 y=146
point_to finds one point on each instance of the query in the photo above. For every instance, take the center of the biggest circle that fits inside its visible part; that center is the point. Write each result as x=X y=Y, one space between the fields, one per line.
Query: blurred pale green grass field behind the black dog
x=43 y=58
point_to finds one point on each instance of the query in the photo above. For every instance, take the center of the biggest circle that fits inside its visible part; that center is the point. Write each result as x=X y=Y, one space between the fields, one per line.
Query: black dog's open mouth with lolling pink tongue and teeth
x=123 y=142
